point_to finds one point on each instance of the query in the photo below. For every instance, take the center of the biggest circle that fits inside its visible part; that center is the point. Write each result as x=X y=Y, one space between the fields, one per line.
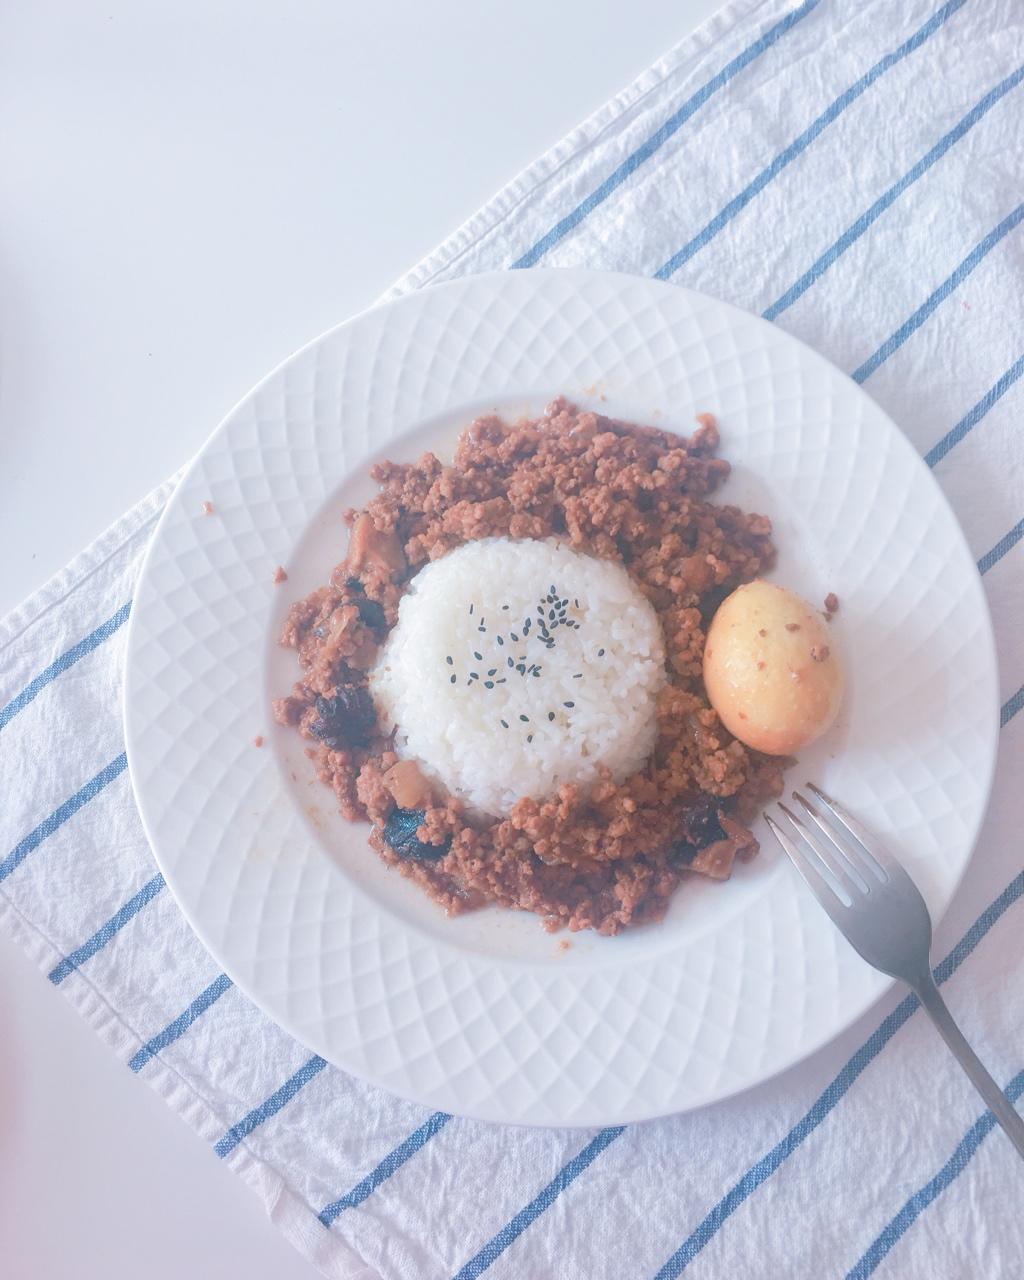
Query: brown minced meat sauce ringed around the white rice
x=634 y=495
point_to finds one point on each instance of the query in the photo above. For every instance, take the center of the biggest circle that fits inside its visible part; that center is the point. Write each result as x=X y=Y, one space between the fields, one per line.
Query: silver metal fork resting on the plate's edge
x=881 y=913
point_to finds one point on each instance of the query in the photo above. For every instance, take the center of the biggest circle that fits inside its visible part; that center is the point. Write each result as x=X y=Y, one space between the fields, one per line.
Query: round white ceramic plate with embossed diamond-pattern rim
x=484 y=1016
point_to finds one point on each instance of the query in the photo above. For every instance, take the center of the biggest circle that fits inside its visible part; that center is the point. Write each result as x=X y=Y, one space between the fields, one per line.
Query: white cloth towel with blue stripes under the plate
x=852 y=170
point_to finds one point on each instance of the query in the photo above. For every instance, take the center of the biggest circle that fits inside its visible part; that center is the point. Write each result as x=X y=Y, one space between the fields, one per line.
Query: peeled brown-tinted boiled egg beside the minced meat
x=771 y=669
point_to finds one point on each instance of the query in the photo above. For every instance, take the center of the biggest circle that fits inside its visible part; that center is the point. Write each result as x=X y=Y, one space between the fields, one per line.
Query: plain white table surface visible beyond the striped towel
x=170 y=175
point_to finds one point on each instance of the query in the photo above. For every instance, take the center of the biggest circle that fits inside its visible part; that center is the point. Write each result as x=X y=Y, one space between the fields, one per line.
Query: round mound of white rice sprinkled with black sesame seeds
x=610 y=668
